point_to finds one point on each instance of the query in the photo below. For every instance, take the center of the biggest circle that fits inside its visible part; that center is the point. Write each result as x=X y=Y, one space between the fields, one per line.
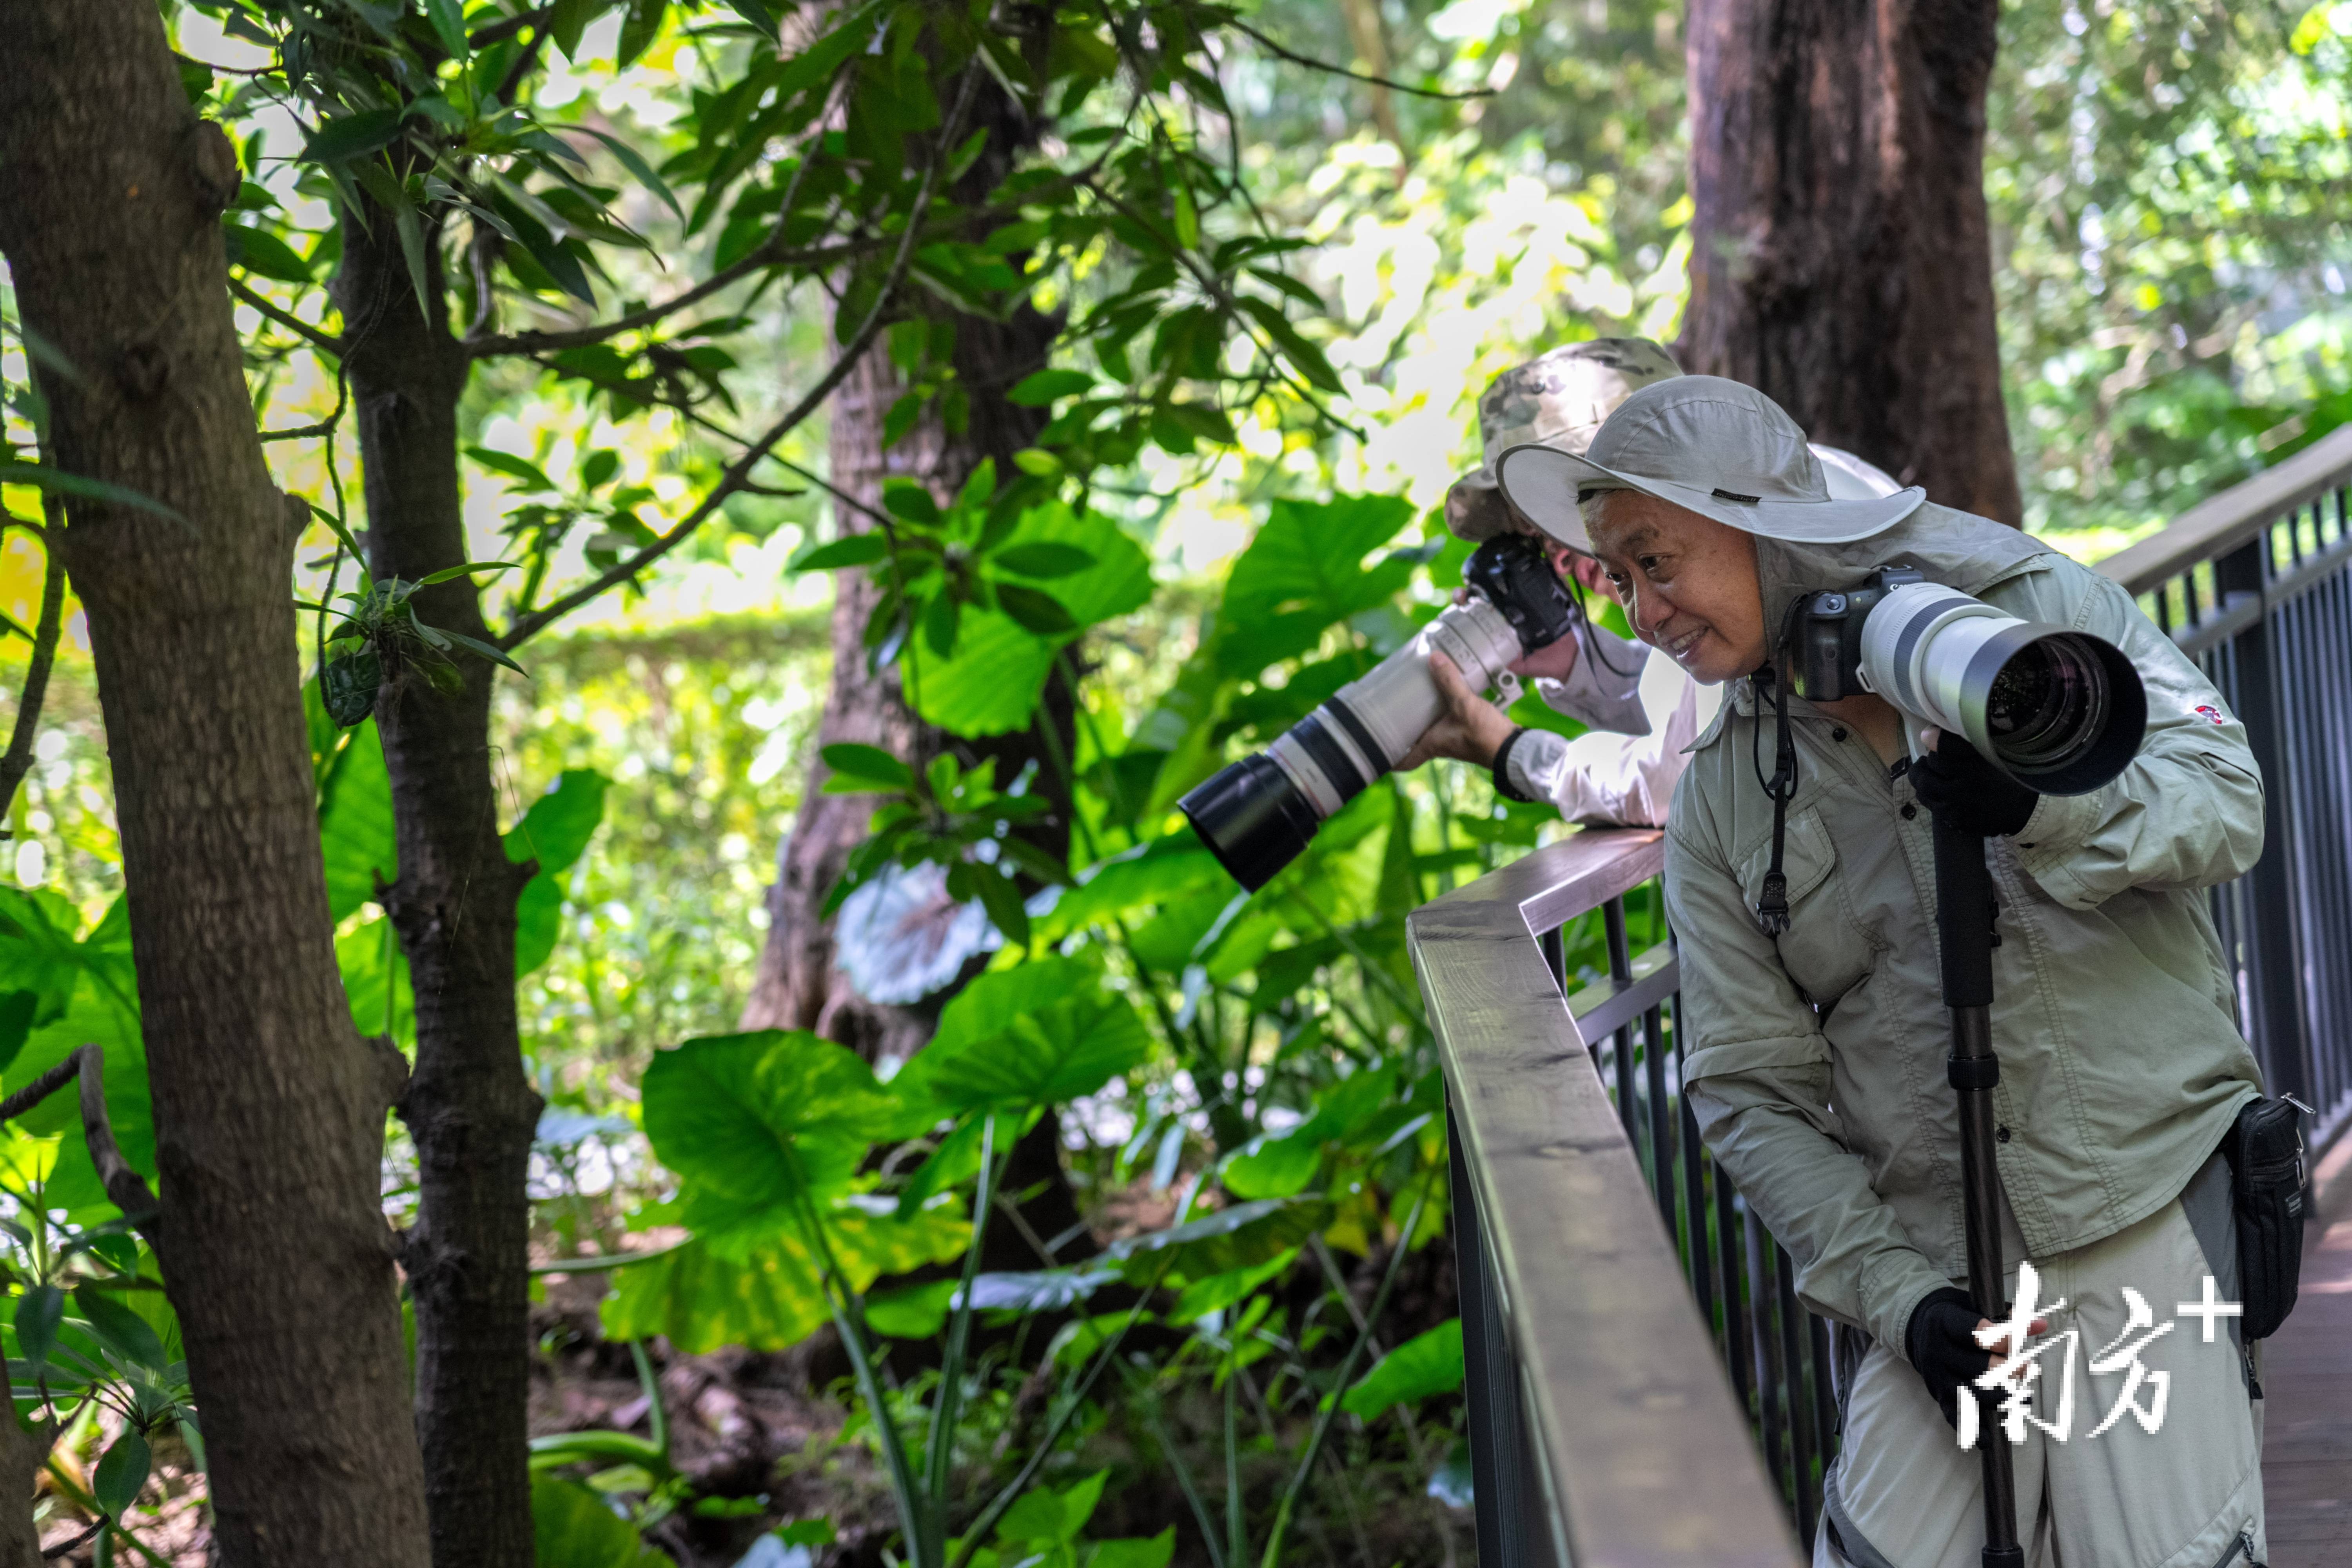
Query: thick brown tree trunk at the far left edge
x=269 y=1108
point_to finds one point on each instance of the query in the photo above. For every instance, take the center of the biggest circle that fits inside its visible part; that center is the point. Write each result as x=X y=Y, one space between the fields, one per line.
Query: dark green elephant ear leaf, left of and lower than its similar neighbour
x=768 y=1118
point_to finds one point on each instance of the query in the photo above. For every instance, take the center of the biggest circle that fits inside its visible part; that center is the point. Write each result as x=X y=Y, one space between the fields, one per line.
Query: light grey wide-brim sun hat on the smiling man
x=1709 y=445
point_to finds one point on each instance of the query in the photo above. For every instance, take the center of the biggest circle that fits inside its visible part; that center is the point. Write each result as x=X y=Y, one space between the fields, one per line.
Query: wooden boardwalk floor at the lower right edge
x=2308 y=1383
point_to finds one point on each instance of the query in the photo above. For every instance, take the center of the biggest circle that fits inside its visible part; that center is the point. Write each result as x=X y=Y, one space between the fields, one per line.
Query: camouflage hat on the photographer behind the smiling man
x=1561 y=401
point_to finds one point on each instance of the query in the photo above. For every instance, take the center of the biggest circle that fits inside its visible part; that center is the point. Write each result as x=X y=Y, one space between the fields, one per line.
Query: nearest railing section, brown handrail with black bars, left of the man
x=1598 y=1339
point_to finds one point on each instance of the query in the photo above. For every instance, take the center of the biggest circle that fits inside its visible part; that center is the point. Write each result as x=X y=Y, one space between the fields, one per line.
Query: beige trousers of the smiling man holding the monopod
x=2184 y=1496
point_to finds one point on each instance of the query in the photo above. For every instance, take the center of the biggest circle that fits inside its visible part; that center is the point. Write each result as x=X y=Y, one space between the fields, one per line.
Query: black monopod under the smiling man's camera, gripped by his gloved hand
x=1965 y=925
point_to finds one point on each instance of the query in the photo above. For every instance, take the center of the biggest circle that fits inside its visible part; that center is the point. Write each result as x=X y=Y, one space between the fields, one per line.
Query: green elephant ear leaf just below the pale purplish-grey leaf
x=1031 y=1036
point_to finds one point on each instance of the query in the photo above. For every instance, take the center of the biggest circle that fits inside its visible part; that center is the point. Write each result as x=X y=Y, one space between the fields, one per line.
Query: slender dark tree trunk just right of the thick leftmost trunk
x=469 y=1106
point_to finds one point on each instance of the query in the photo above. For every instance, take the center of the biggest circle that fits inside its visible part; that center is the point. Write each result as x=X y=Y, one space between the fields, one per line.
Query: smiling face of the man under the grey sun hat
x=1688 y=584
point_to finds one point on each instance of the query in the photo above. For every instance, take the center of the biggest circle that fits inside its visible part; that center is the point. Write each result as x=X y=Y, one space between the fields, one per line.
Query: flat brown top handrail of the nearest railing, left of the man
x=1598 y=1391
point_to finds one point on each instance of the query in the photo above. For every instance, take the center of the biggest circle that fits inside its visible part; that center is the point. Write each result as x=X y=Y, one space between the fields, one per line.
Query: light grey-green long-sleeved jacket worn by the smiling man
x=1819 y=1059
